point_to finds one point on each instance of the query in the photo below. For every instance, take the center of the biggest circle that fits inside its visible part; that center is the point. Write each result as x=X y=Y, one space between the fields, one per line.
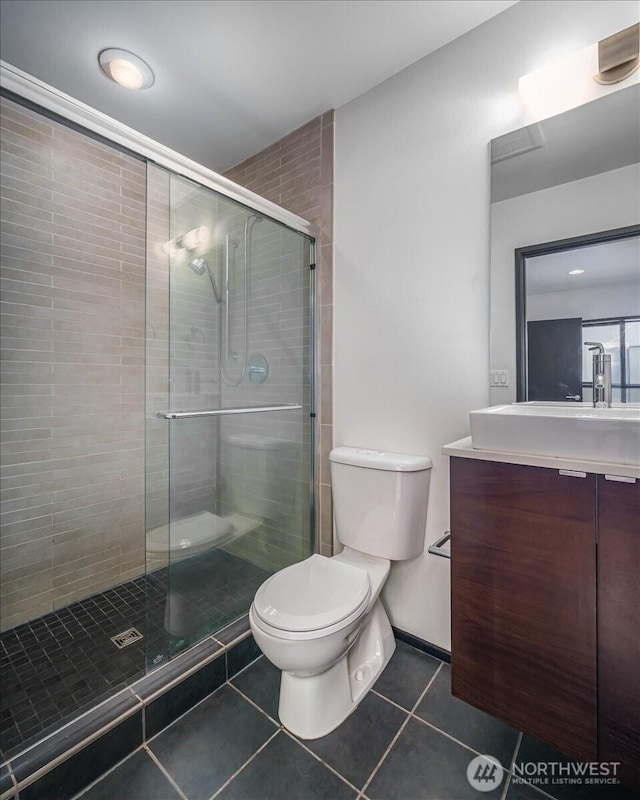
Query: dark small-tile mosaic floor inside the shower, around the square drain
x=59 y=665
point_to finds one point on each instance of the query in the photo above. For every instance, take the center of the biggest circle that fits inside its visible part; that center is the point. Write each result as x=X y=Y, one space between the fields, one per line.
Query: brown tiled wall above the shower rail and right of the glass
x=297 y=173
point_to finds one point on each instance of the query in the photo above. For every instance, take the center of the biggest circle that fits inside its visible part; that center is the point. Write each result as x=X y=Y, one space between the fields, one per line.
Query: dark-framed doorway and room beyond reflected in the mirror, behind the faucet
x=573 y=292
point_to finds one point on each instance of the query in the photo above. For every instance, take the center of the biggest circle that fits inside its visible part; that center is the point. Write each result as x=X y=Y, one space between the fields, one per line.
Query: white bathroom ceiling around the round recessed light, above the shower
x=232 y=76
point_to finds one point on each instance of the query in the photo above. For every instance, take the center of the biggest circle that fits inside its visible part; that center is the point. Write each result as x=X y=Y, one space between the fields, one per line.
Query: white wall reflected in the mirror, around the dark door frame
x=599 y=203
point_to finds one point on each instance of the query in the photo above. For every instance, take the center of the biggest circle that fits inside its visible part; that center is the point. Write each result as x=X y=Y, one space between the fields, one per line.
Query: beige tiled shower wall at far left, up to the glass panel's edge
x=73 y=261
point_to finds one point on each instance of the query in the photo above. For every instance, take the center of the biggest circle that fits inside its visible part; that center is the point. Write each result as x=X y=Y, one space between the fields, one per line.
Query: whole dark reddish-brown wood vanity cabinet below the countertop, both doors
x=545 y=581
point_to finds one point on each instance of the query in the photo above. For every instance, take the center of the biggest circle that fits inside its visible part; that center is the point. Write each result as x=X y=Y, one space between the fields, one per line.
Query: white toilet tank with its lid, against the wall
x=380 y=501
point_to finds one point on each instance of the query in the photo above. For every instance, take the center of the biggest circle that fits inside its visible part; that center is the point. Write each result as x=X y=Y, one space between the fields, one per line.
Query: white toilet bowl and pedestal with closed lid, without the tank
x=322 y=623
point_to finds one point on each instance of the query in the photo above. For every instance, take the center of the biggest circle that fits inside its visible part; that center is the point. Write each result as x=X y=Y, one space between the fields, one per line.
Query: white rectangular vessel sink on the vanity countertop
x=575 y=431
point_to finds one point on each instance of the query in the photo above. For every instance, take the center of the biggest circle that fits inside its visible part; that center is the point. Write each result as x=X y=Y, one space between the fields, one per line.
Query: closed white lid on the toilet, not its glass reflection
x=312 y=594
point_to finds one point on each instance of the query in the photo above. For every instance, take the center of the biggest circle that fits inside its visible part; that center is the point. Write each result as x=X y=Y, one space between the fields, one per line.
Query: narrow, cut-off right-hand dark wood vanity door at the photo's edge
x=619 y=626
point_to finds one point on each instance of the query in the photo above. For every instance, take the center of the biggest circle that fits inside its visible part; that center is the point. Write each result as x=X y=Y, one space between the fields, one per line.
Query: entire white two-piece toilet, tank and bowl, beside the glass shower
x=321 y=620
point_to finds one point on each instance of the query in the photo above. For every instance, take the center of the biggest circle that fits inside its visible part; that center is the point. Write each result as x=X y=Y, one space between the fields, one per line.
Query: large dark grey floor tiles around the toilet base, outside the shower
x=408 y=740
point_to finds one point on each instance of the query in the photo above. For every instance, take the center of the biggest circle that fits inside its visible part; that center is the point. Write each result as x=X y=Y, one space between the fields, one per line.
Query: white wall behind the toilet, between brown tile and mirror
x=412 y=254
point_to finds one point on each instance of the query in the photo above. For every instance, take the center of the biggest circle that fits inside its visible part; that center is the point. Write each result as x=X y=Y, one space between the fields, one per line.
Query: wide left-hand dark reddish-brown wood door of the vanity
x=523 y=576
